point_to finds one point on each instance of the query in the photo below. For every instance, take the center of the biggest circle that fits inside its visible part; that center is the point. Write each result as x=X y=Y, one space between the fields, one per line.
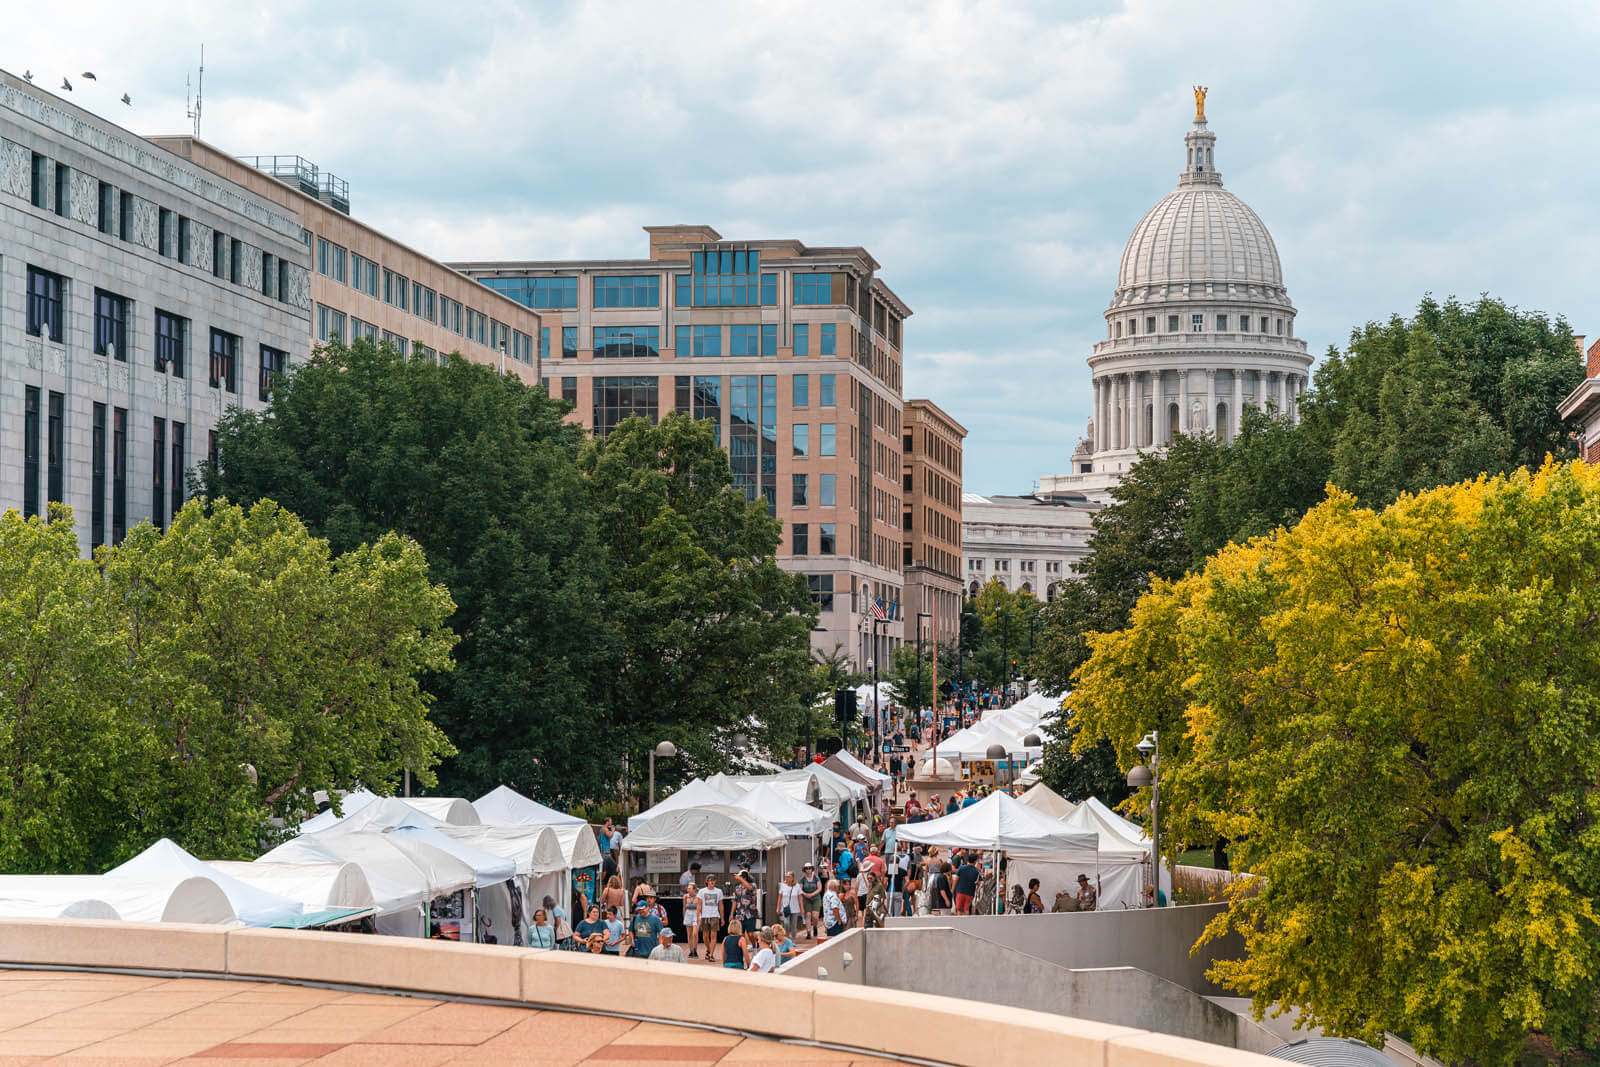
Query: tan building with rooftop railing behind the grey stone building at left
x=366 y=284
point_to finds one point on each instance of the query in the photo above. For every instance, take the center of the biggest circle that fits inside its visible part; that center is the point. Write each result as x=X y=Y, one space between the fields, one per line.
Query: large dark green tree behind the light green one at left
x=482 y=471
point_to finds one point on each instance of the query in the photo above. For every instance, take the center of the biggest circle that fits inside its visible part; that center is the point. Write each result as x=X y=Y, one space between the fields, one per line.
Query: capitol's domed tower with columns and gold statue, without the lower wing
x=1199 y=327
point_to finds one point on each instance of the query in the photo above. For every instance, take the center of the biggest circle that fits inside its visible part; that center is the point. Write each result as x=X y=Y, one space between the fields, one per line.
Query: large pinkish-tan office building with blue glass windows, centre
x=793 y=353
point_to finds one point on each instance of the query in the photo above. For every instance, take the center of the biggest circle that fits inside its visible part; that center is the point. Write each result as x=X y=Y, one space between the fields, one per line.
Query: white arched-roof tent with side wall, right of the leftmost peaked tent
x=406 y=876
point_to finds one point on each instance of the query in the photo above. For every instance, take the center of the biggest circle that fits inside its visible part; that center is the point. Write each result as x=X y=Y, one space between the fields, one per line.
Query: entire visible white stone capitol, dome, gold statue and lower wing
x=1199 y=329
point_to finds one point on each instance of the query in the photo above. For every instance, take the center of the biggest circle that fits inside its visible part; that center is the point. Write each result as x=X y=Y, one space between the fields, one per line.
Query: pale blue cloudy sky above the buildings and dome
x=993 y=158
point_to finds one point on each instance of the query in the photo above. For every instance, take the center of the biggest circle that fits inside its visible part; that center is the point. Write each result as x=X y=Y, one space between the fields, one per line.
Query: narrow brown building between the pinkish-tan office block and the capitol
x=932 y=521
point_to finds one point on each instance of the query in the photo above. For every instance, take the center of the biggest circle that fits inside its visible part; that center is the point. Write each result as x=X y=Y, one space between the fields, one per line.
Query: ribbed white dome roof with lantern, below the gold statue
x=1201 y=233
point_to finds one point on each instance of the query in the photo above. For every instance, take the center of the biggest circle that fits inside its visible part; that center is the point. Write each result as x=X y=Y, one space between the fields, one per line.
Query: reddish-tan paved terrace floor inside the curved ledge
x=86 y=1018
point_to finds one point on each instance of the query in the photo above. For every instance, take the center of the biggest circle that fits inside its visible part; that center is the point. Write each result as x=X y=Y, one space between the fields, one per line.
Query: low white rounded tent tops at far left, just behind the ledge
x=170 y=900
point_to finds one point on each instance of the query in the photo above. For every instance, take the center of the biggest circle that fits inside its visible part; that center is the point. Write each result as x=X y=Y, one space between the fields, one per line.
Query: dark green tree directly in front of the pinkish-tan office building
x=713 y=637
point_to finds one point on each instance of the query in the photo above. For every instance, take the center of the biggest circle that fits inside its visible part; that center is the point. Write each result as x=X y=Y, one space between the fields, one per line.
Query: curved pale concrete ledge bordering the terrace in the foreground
x=884 y=1023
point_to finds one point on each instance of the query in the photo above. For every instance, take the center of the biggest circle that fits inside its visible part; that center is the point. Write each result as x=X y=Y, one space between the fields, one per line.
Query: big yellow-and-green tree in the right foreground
x=1393 y=716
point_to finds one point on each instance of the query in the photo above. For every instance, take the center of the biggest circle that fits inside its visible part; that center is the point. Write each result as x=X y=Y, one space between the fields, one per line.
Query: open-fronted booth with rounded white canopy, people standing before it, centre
x=722 y=841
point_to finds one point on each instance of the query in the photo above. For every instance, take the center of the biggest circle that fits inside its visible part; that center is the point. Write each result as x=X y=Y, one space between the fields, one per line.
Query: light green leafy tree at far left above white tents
x=194 y=684
